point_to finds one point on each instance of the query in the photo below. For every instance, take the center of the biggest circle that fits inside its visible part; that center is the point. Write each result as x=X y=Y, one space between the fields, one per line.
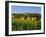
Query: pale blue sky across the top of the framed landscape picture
x=25 y=9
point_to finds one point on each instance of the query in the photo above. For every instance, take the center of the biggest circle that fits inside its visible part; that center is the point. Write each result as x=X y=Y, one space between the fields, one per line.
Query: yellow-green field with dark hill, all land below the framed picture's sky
x=26 y=21
